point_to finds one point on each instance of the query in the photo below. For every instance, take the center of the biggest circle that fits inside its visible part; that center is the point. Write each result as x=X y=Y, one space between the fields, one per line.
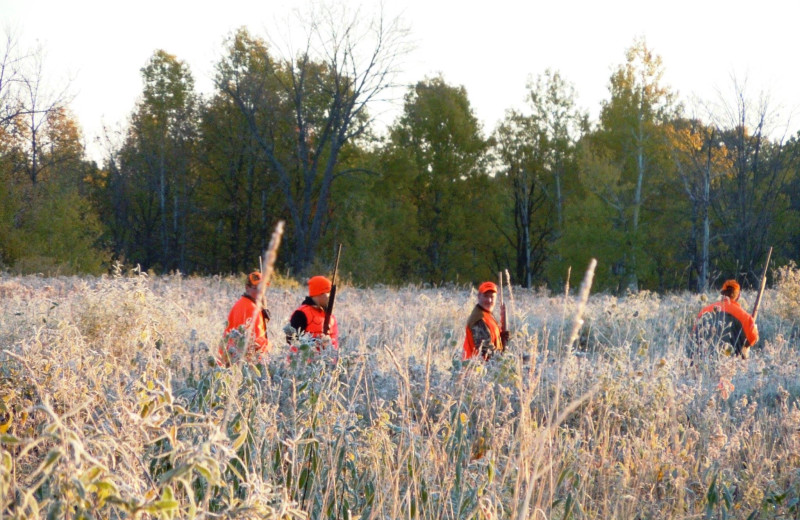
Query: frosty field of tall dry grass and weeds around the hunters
x=110 y=408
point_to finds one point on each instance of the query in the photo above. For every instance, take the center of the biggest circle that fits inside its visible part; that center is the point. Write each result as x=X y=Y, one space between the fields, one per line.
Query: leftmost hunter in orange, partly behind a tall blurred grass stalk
x=246 y=332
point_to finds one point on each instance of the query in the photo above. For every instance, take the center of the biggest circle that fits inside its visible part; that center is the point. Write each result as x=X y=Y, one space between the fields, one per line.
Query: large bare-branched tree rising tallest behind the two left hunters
x=306 y=107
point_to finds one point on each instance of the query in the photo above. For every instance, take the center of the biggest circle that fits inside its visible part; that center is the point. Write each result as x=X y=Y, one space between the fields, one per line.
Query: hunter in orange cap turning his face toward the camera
x=483 y=333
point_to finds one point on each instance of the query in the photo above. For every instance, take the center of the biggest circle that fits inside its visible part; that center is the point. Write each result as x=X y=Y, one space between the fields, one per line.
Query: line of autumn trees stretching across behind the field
x=666 y=198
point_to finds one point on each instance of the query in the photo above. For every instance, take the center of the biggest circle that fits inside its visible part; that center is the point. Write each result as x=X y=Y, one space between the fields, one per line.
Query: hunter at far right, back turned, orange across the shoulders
x=726 y=322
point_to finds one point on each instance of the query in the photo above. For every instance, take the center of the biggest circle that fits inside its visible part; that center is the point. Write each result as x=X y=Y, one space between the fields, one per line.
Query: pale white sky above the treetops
x=491 y=48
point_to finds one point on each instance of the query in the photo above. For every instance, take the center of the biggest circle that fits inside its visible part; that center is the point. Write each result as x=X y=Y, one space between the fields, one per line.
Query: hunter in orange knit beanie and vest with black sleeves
x=310 y=316
